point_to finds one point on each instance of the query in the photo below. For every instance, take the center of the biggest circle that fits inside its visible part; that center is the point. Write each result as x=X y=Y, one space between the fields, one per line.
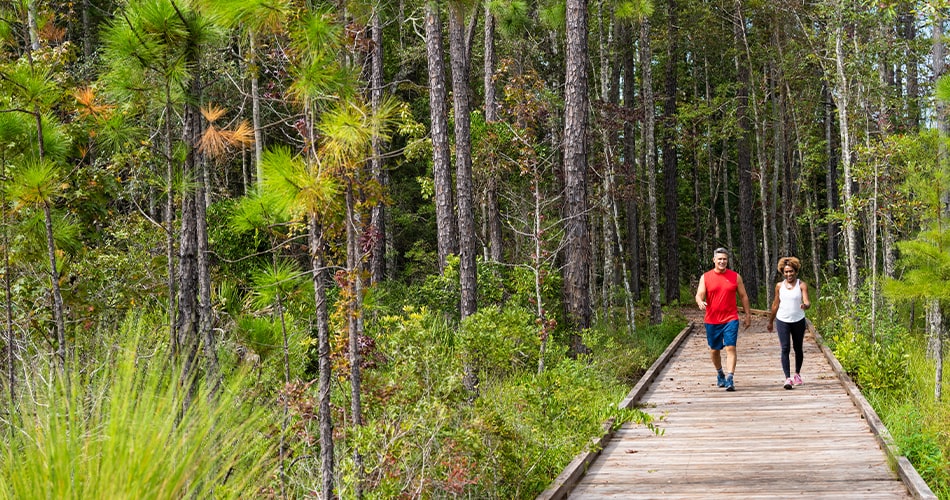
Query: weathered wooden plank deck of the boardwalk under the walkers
x=761 y=441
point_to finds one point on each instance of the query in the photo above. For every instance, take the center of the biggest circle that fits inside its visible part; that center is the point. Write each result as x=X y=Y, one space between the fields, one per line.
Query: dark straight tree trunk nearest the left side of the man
x=670 y=173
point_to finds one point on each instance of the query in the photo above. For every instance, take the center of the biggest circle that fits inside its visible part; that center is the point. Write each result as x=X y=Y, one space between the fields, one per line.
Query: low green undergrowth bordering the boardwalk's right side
x=890 y=365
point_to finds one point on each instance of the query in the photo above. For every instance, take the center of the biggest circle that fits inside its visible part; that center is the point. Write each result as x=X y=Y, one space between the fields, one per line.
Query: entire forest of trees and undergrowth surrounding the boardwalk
x=420 y=249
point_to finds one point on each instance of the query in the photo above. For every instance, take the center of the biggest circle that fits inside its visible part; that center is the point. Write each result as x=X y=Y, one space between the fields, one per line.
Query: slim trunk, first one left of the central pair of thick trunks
x=378 y=228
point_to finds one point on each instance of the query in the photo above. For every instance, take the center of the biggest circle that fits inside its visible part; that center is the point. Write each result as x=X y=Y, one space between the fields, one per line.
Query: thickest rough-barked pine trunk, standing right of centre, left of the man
x=577 y=231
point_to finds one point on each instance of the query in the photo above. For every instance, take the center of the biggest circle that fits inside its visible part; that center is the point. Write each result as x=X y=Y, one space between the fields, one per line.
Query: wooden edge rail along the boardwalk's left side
x=568 y=478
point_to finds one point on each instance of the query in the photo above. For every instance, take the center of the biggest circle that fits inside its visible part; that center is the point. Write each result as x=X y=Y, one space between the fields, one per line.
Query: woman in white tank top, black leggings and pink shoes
x=788 y=315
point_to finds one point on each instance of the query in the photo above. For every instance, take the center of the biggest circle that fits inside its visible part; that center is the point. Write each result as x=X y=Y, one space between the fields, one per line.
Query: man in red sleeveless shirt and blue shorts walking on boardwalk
x=716 y=295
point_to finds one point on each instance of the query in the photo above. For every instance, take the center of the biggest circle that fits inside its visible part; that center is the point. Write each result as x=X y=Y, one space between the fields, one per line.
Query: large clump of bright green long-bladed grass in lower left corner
x=117 y=430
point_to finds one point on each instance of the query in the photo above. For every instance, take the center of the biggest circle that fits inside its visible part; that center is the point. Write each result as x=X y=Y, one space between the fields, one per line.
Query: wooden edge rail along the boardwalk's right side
x=908 y=474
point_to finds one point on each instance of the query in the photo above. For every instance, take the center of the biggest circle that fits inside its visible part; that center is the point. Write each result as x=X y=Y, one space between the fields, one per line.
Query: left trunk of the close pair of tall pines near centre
x=447 y=227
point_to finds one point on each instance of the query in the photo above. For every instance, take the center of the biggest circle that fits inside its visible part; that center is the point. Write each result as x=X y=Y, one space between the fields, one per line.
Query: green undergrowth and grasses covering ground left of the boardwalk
x=116 y=420
